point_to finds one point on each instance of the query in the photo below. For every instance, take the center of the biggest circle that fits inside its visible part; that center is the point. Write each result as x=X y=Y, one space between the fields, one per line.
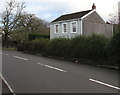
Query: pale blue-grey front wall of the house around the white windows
x=68 y=34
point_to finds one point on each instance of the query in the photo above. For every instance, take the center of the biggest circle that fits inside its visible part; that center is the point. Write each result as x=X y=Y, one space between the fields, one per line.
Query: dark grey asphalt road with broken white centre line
x=27 y=73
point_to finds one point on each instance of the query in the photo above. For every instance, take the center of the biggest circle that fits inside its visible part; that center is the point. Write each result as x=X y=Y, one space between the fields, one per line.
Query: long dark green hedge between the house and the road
x=92 y=47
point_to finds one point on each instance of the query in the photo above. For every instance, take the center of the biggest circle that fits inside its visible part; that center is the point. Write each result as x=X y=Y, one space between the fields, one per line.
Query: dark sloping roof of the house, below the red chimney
x=72 y=16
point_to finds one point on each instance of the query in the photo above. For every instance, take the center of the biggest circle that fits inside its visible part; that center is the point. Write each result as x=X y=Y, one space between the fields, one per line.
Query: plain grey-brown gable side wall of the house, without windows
x=95 y=24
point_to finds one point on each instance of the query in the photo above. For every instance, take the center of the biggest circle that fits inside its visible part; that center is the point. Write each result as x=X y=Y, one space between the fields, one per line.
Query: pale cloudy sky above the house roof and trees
x=51 y=9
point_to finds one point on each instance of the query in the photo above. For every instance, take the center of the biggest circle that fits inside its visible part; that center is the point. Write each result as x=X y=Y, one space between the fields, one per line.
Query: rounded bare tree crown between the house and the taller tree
x=32 y=24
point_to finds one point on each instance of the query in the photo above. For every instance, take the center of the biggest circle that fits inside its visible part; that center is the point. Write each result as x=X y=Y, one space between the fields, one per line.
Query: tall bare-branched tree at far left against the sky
x=10 y=17
